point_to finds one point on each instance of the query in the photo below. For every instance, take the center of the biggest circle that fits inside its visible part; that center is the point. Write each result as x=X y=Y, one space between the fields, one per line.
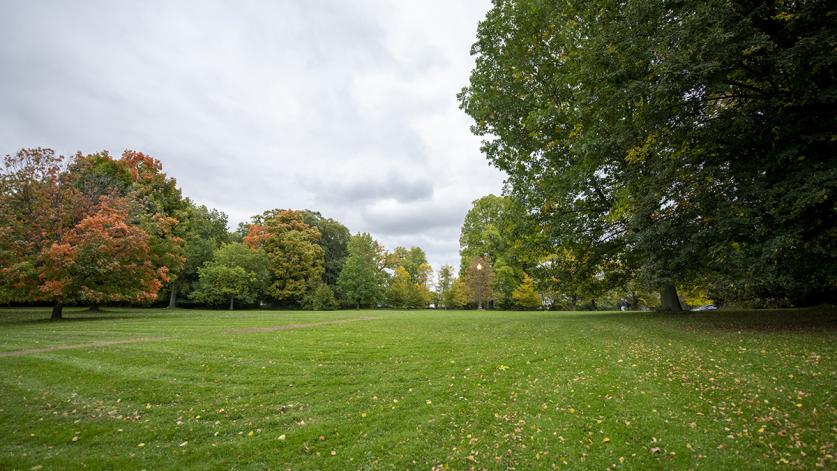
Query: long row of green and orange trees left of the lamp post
x=94 y=229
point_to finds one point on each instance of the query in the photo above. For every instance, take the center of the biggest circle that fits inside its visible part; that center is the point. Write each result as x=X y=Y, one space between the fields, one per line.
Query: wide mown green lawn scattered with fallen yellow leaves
x=157 y=389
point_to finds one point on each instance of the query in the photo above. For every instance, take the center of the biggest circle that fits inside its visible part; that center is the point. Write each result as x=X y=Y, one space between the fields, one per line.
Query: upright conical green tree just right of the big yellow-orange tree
x=362 y=280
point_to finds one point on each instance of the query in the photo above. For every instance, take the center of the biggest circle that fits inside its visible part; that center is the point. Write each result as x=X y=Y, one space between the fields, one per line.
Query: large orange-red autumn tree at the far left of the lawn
x=61 y=241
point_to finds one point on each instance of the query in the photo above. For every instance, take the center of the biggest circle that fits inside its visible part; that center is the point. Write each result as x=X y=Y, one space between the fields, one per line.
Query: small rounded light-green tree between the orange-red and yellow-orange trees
x=236 y=272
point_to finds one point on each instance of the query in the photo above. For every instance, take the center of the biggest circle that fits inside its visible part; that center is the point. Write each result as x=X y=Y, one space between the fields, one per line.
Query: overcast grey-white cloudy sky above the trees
x=343 y=106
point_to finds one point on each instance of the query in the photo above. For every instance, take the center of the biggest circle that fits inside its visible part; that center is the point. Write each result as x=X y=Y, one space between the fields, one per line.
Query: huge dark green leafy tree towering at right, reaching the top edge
x=695 y=136
